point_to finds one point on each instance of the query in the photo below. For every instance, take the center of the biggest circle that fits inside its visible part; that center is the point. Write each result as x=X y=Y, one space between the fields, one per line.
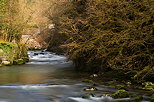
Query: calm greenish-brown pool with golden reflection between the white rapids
x=32 y=74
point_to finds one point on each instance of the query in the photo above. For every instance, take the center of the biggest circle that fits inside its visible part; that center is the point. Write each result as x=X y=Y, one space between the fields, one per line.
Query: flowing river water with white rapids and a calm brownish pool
x=47 y=78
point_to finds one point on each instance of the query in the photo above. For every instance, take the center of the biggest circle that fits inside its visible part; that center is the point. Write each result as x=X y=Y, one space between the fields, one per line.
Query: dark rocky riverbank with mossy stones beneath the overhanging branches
x=125 y=88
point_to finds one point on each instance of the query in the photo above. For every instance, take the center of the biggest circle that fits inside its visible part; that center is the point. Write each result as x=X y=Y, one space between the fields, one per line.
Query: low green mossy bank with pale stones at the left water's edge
x=12 y=53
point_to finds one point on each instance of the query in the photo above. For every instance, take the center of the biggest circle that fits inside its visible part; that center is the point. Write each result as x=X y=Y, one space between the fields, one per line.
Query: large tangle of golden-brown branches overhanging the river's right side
x=108 y=34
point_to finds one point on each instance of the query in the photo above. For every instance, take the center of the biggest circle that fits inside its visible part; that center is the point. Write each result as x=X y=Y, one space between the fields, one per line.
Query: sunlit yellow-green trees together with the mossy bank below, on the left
x=11 y=26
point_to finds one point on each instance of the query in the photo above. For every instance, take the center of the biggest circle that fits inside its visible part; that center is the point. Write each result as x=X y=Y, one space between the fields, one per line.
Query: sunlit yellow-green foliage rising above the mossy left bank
x=11 y=23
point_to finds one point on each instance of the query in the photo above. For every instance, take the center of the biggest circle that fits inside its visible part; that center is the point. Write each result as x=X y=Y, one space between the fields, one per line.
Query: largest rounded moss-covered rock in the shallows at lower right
x=120 y=94
